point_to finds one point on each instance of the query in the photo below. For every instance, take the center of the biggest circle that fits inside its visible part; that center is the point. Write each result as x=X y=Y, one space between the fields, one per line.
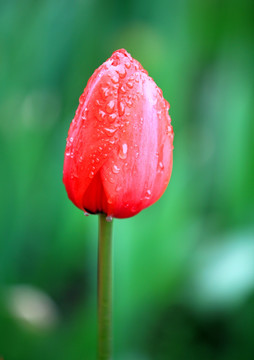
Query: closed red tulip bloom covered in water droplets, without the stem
x=118 y=157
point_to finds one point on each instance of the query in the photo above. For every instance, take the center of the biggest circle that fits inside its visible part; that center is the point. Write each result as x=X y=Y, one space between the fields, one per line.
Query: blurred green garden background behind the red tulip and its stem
x=184 y=268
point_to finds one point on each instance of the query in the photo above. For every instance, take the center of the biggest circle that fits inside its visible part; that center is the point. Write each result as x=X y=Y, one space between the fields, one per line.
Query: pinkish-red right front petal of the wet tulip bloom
x=141 y=164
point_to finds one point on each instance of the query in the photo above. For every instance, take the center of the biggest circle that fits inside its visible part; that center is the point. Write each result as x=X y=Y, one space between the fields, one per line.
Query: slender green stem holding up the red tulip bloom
x=105 y=289
